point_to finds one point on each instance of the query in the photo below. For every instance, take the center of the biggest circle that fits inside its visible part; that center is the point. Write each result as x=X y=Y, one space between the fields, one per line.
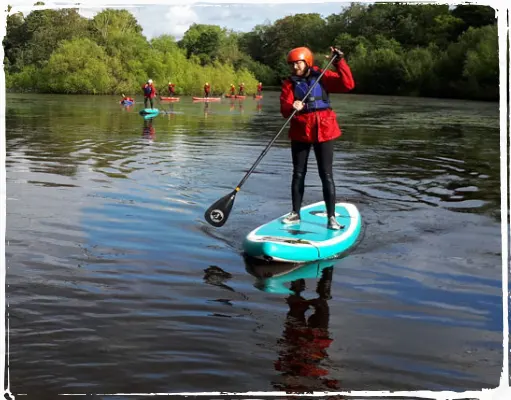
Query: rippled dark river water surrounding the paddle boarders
x=116 y=284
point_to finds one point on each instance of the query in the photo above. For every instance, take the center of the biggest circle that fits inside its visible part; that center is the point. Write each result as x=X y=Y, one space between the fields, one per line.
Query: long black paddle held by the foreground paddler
x=219 y=211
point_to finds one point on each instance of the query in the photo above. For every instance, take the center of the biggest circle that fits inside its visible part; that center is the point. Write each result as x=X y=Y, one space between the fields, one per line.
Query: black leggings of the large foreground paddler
x=324 y=152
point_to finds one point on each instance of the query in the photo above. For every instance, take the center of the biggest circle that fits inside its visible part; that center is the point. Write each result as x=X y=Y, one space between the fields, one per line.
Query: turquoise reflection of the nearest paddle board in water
x=272 y=277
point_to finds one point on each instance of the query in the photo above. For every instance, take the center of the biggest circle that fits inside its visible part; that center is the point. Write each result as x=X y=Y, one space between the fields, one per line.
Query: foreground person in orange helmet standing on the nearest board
x=314 y=124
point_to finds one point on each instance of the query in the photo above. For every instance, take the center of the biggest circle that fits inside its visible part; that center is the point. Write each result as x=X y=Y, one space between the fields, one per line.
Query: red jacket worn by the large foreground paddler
x=317 y=126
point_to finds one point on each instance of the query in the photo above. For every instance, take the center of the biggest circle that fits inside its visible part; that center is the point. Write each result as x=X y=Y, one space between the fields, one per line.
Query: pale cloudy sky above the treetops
x=175 y=17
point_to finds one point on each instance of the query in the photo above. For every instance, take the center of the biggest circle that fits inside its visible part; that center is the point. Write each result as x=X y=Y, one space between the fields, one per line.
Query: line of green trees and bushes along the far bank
x=392 y=49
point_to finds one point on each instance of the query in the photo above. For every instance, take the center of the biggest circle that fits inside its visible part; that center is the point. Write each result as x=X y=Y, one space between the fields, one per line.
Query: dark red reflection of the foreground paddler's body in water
x=304 y=341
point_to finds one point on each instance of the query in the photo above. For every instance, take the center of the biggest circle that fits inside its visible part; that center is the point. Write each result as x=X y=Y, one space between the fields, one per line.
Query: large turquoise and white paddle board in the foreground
x=310 y=240
